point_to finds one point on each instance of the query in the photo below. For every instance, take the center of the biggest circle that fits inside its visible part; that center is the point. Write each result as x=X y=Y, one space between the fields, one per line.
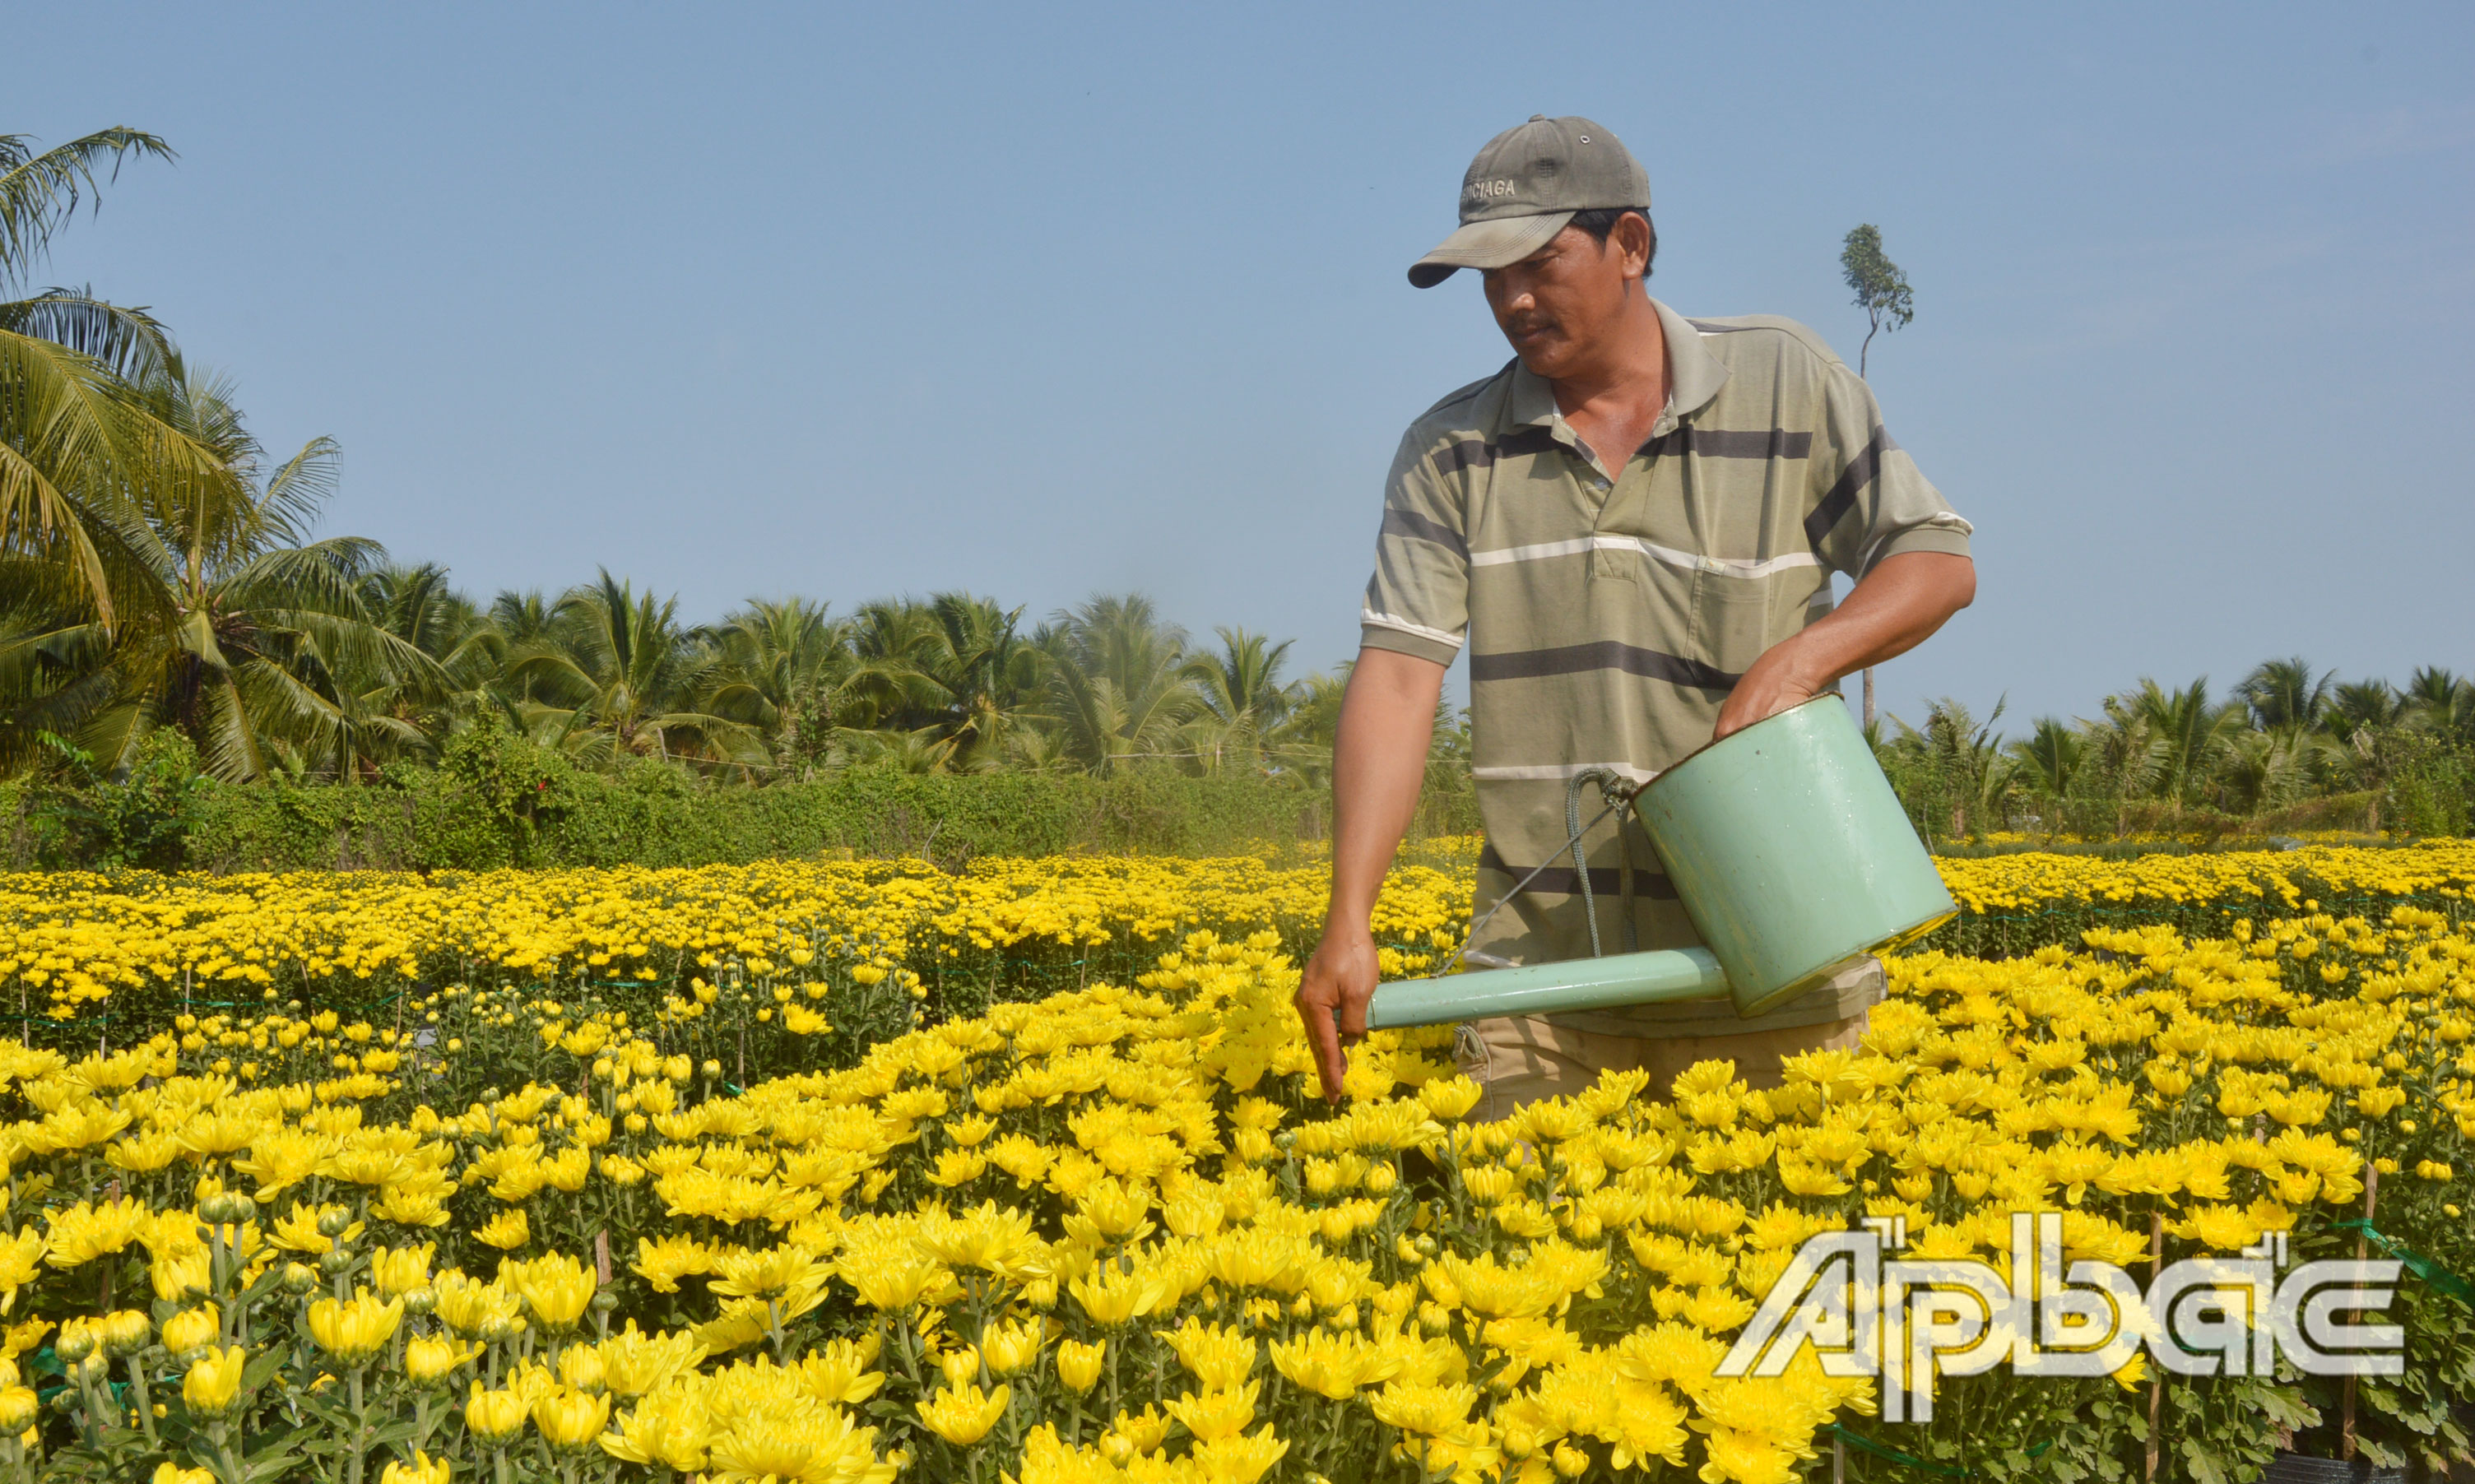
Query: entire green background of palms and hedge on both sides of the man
x=174 y=632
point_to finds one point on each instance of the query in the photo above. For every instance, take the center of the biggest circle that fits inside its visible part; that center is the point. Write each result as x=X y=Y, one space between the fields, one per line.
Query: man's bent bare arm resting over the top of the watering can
x=1895 y=610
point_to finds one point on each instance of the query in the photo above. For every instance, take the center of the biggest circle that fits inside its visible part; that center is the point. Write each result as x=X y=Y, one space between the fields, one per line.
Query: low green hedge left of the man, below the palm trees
x=496 y=800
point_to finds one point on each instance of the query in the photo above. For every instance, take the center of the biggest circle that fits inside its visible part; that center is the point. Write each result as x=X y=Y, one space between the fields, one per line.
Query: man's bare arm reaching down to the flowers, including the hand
x=1377 y=768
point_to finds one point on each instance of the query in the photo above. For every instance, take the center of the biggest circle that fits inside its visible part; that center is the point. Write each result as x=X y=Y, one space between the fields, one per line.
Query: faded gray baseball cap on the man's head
x=1523 y=189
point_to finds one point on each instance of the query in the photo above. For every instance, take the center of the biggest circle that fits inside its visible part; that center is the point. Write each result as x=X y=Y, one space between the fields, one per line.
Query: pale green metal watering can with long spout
x=1791 y=855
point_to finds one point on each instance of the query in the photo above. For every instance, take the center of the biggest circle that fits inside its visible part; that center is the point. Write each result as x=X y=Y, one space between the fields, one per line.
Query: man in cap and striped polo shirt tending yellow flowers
x=1635 y=531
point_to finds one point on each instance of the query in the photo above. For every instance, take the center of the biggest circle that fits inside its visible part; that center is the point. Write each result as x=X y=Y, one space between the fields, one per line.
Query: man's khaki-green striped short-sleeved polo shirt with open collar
x=1612 y=605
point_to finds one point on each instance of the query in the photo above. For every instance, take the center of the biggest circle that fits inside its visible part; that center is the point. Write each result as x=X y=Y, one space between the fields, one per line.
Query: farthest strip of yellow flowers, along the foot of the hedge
x=999 y=931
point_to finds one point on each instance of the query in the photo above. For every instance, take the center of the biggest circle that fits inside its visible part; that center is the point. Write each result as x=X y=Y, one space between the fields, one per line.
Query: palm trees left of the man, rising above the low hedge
x=160 y=578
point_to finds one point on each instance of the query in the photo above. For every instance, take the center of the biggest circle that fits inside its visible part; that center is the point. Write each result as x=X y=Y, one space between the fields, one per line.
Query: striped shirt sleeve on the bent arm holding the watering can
x=1875 y=501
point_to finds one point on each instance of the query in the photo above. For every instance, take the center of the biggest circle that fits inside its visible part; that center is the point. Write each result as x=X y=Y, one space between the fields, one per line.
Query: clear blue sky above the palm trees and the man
x=865 y=301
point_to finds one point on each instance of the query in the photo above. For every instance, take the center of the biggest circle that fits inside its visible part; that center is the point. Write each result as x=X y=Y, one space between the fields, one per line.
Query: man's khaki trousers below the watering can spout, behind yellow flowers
x=1521 y=1060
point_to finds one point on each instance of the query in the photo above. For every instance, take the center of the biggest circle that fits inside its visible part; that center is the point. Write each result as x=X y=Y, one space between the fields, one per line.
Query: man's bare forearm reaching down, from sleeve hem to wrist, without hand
x=1377 y=770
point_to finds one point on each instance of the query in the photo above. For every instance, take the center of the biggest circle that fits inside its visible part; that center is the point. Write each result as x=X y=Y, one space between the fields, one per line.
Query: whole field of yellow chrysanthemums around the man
x=863 y=1171
